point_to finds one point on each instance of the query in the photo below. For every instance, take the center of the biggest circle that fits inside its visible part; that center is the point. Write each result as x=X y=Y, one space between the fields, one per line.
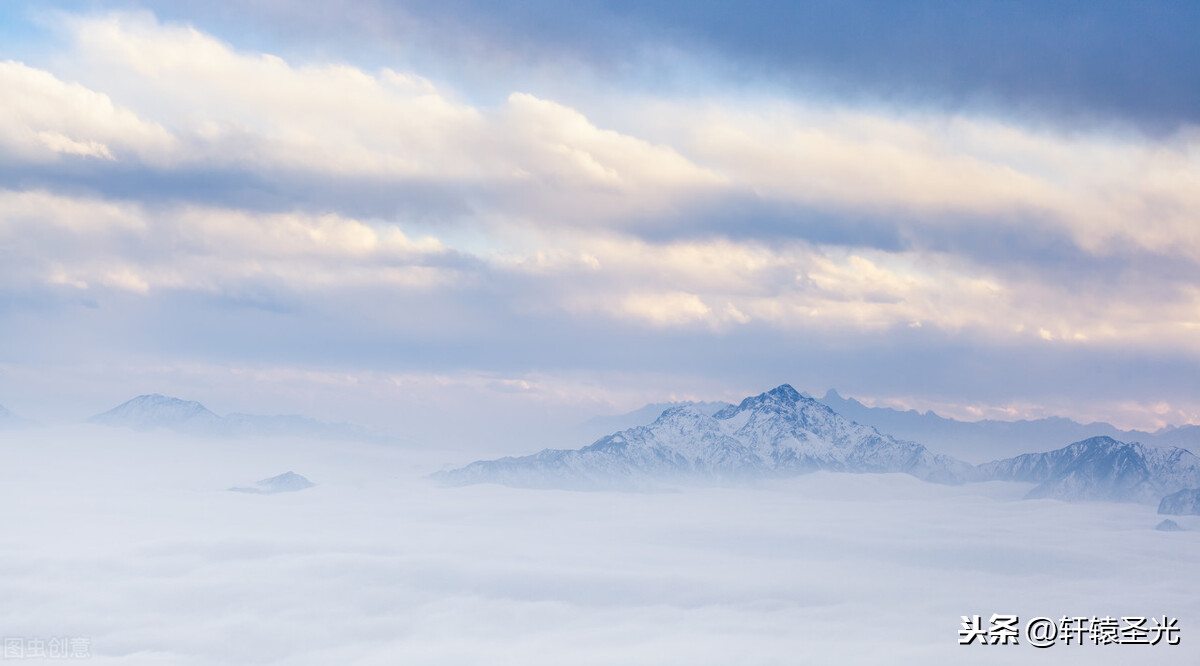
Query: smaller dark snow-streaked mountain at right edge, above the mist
x=1101 y=469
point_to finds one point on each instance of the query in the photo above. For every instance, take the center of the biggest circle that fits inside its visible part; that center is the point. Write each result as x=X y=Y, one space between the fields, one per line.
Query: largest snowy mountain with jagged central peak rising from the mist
x=778 y=434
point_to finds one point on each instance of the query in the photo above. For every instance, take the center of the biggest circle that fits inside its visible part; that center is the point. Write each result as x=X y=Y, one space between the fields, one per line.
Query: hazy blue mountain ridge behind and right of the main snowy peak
x=989 y=440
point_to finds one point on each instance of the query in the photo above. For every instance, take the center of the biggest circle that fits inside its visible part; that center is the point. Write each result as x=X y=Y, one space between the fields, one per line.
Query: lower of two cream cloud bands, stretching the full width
x=711 y=284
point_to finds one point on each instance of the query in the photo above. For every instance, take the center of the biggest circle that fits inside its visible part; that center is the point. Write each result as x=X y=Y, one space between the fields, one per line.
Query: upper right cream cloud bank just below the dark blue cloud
x=1106 y=191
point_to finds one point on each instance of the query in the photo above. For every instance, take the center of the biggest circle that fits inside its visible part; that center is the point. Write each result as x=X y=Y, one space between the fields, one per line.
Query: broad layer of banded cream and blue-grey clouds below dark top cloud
x=153 y=172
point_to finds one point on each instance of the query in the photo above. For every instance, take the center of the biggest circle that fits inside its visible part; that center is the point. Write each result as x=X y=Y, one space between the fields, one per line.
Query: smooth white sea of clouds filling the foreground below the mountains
x=134 y=542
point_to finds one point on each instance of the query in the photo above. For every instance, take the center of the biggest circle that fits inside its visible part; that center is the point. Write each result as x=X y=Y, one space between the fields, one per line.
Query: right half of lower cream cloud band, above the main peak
x=802 y=287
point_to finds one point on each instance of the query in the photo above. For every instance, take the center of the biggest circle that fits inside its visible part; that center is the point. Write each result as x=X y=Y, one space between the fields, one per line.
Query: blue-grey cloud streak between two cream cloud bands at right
x=1028 y=247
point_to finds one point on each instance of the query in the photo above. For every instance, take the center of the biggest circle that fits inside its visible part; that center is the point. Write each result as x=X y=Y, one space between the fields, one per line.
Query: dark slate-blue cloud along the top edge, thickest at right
x=1060 y=61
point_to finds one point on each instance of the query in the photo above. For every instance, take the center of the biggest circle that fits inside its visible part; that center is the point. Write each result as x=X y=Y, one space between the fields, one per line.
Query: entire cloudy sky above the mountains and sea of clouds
x=387 y=212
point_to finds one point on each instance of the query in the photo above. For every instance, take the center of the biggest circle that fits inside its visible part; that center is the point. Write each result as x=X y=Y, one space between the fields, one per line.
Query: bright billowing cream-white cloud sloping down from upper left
x=262 y=112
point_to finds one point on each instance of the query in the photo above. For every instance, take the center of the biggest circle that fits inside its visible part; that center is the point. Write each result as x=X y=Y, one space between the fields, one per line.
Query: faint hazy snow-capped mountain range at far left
x=157 y=411
